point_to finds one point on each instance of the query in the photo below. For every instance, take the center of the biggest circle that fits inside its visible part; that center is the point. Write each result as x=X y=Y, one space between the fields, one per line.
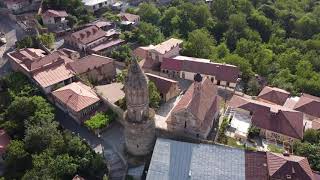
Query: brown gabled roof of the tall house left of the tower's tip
x=90 y=62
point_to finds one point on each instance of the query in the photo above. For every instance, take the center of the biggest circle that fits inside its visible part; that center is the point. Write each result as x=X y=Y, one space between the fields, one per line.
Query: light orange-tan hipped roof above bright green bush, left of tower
x=76 y=96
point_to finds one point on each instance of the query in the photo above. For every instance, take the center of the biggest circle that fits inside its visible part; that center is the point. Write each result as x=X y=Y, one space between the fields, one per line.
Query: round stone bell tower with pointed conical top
x=139 y=128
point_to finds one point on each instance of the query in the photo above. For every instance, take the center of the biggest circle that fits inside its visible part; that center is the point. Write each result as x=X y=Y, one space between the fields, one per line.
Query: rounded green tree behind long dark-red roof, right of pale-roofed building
x=200 y=44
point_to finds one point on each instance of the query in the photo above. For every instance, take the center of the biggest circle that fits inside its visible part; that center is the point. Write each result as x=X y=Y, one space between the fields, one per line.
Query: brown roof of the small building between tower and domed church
x=162 y=84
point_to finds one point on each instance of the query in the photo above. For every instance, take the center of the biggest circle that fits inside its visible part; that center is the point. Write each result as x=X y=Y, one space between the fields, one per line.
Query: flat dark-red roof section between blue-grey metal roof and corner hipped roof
x=256 y=165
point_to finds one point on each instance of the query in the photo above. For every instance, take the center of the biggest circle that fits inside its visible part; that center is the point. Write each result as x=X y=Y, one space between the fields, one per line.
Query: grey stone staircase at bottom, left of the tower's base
x=116 y=165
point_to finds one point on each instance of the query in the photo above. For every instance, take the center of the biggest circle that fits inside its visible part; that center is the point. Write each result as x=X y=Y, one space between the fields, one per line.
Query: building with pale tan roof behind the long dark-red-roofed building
x=154 y=55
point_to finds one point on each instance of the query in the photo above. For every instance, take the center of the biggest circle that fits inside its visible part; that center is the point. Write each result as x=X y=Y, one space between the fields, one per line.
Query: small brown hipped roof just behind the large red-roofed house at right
x=274 y=95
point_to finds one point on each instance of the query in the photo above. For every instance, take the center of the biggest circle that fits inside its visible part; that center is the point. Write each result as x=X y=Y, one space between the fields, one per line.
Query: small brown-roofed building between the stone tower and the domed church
x=168 y=88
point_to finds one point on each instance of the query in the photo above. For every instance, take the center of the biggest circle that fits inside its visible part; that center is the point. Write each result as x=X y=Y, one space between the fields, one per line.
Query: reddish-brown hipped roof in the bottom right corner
x=280 y=166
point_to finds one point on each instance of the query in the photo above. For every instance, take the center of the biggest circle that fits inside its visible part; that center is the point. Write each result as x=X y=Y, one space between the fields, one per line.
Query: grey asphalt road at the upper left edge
x=12 y=32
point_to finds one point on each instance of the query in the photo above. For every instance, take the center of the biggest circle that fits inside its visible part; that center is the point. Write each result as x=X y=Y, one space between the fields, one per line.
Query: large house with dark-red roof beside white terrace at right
x=277 y=123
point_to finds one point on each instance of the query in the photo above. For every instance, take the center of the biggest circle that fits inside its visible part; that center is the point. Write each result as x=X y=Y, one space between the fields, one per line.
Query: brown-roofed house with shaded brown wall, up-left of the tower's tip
x=96 y=68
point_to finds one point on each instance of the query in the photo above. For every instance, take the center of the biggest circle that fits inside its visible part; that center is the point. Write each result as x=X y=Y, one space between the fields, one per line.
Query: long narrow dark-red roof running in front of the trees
x=222 y=72
